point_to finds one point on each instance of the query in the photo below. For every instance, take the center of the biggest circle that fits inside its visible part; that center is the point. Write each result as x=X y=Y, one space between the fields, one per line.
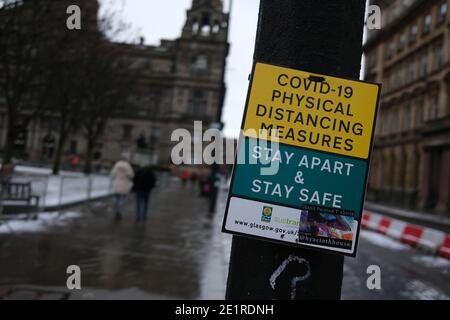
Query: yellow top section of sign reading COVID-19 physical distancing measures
x=310 y=110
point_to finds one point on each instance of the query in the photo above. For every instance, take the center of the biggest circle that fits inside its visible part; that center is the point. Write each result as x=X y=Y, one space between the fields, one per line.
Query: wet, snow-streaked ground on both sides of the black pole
x=179 y=253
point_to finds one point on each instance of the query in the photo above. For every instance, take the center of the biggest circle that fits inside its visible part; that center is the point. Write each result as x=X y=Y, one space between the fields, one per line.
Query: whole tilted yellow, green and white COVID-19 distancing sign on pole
x=303 y=158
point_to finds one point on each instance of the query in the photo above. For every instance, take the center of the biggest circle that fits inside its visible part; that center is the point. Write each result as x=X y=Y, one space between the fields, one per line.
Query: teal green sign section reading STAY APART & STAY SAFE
x=296 y=177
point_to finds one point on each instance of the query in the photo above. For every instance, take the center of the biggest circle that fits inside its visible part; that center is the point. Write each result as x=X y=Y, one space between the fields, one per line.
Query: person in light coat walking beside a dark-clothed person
x=122 y=181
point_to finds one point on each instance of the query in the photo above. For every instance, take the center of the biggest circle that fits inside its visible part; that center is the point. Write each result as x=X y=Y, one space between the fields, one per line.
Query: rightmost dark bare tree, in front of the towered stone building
x=110 y=81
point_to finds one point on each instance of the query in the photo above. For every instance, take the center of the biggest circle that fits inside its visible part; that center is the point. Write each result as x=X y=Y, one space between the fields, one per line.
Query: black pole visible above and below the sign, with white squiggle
x=320 y=36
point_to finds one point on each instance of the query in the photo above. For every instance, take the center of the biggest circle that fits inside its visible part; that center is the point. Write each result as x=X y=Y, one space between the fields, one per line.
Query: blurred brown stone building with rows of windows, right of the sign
x=410 y=55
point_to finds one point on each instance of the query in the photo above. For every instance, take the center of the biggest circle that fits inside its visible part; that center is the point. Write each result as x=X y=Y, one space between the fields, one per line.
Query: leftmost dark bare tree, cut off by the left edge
x=22 y=65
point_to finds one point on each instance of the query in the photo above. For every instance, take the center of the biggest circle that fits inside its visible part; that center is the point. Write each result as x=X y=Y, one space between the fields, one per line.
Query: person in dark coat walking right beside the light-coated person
x=143 y=184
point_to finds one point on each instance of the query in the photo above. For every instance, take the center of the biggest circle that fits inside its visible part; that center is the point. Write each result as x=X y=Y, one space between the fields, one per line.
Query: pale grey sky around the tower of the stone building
x=156 y=19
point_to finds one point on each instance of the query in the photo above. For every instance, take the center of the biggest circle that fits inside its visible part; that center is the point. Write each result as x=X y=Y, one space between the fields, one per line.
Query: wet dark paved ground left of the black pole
x=178 y=253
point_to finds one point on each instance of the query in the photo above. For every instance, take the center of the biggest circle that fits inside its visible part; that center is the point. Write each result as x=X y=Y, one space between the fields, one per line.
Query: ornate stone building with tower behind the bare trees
x=181 y=81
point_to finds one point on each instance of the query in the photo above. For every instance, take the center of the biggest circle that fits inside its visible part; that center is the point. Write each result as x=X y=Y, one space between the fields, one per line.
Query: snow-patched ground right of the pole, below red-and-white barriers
x=406 y=273
